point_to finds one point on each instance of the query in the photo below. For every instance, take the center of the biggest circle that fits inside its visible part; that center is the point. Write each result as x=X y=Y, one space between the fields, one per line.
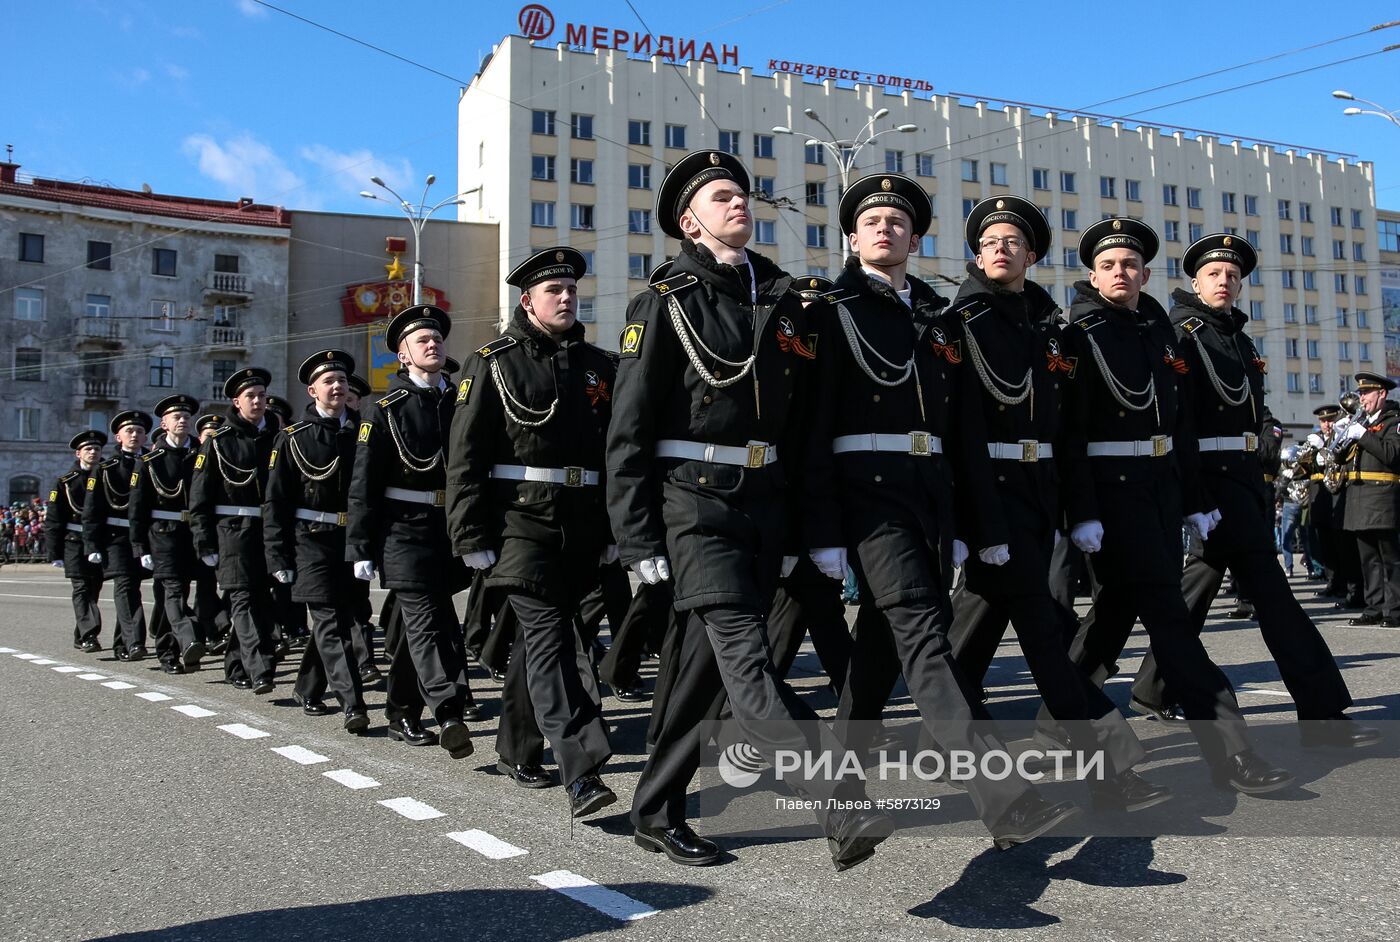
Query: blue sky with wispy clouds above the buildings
x=229 y=99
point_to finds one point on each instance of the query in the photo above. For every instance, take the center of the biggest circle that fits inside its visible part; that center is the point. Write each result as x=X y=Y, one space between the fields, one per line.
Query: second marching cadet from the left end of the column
x=107 y=535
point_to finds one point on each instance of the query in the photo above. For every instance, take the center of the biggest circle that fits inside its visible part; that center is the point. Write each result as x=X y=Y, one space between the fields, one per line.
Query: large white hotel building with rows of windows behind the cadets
x=569 y=148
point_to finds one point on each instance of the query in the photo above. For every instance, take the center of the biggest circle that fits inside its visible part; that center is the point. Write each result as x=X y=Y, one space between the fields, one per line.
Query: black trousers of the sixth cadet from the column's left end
x=429 y=650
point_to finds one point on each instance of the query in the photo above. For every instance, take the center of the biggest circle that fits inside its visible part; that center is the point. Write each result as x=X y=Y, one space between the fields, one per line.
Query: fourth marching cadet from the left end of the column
x=226 y=521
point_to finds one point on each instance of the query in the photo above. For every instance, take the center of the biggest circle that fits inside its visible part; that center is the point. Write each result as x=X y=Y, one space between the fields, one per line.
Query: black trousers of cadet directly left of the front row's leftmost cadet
x=559 y=688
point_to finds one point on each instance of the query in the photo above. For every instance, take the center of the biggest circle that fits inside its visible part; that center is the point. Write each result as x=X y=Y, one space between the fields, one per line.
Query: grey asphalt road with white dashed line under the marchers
x=142 y=806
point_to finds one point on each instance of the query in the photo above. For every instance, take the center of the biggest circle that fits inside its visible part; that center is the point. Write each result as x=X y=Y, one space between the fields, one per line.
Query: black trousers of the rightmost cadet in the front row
x=1305 y=663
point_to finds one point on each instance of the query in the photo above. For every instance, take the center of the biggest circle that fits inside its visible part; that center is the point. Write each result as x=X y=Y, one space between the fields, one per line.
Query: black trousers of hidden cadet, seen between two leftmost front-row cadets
x=808 y=603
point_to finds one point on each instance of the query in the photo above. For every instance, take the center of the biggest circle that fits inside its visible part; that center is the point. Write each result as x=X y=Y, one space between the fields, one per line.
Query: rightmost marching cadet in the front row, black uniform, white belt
x=1226 y=376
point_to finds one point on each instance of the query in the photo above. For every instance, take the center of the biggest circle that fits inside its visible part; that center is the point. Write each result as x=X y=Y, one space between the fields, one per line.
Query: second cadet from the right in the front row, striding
x=1129 y=468
